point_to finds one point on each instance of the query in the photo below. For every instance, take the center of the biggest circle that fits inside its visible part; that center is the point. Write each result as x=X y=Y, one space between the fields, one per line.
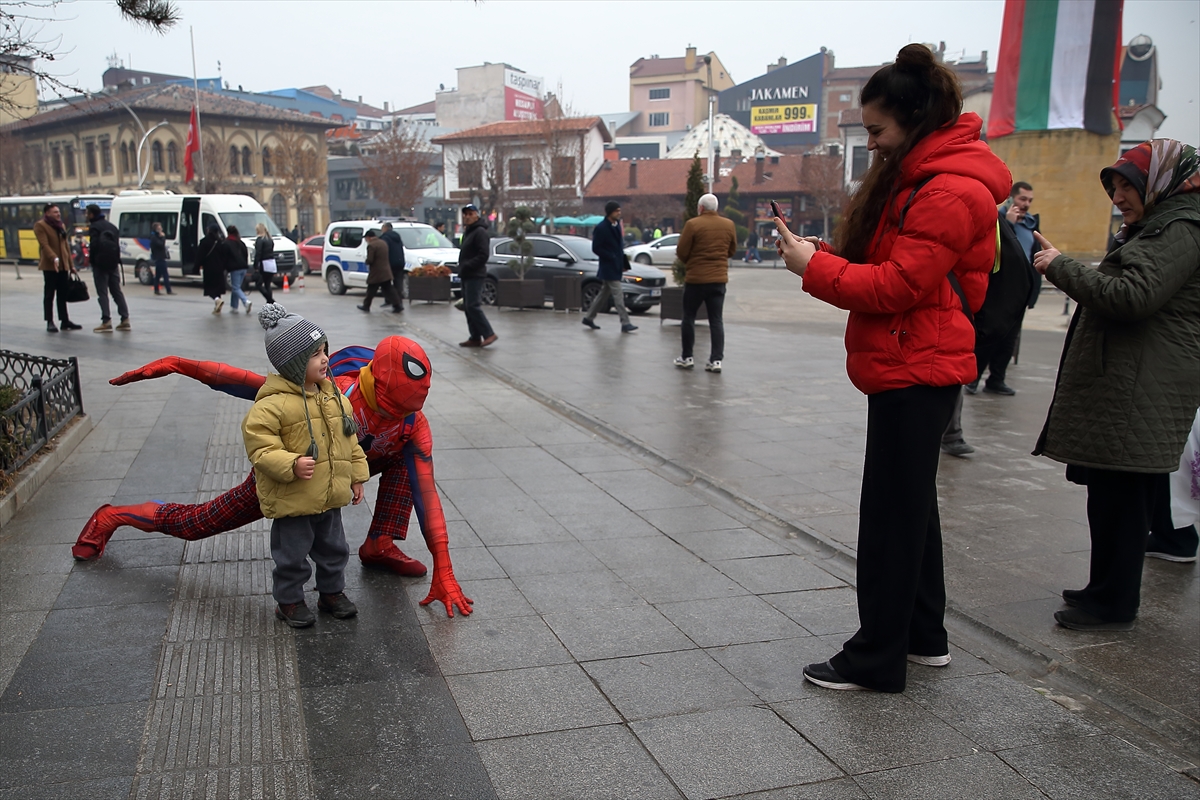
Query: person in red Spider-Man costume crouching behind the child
x=387 y=388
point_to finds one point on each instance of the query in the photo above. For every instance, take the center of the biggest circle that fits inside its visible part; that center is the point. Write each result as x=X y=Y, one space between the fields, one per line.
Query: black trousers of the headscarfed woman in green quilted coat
x=1120 y=512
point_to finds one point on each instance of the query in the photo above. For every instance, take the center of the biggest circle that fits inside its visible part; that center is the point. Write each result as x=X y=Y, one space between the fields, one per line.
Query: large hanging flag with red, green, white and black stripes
x=1059 y=67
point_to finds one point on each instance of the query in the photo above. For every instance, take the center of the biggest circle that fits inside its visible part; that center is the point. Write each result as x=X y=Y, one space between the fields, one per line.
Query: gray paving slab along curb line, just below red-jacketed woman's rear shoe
x=998 y=713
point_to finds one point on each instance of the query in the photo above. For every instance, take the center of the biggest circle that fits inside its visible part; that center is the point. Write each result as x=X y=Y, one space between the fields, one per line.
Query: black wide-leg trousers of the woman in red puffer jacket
x=902 y=591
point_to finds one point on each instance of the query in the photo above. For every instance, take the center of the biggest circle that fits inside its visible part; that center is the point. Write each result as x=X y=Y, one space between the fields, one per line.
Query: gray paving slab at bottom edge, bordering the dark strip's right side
x=605 y=763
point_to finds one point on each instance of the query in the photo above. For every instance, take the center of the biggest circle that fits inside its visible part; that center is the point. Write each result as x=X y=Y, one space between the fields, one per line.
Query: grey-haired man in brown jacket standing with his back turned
x=706 y=246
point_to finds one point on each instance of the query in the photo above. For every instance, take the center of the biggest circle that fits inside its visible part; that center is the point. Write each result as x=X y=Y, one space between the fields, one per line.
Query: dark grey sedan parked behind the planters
x=572 y=256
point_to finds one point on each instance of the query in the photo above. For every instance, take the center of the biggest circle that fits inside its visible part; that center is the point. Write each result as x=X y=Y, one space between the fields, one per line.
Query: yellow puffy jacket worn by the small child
x=277 y=435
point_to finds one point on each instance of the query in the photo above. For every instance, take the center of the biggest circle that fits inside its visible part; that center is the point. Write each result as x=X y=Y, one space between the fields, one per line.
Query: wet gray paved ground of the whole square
x=655 y=555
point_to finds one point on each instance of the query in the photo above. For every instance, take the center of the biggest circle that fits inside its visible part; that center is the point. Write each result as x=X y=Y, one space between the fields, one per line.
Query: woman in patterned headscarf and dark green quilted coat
x=1130 y=378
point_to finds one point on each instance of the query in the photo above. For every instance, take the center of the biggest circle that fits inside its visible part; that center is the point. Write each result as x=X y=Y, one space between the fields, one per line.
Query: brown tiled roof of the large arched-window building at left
x=166 y=98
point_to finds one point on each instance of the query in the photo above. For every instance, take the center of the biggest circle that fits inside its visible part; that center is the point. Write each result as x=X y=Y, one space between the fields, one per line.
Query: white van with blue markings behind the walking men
x=344 y=257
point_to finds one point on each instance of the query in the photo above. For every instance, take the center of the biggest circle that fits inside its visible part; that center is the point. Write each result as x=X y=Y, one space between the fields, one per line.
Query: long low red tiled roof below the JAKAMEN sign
x=657 y=177
